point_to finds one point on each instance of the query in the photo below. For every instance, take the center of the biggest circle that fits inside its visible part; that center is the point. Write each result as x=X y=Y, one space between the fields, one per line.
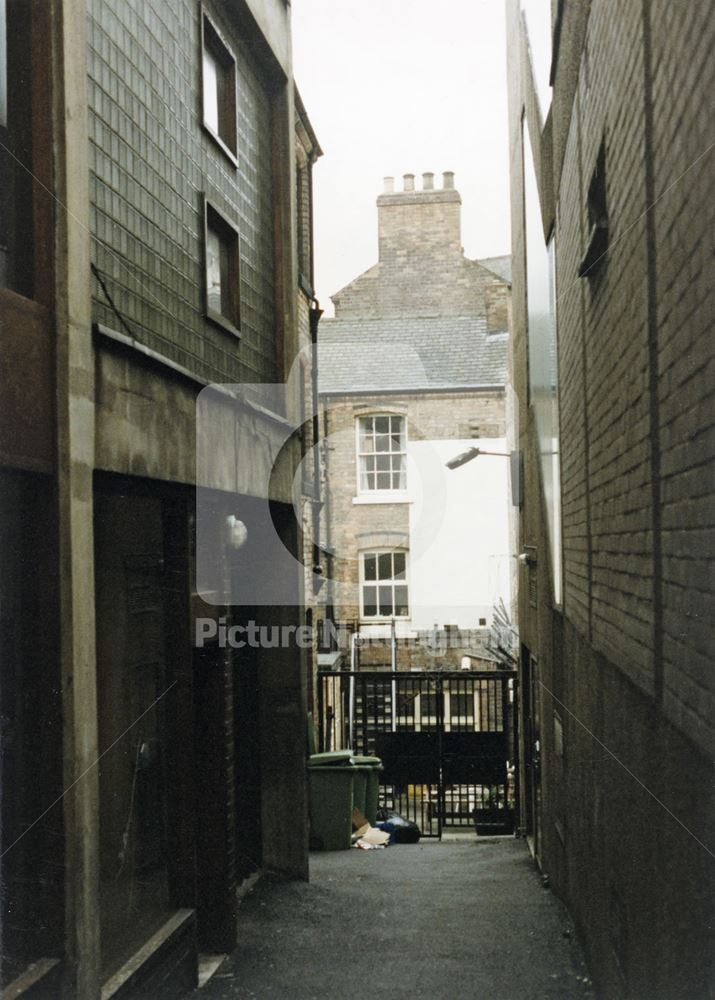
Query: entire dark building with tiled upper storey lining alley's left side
x=156 y=165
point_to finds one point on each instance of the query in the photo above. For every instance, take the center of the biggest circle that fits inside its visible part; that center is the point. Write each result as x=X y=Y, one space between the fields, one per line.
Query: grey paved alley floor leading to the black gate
x=431 y=920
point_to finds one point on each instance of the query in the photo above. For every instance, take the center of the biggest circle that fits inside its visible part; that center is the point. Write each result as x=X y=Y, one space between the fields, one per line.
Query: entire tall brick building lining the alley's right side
x=612 y=359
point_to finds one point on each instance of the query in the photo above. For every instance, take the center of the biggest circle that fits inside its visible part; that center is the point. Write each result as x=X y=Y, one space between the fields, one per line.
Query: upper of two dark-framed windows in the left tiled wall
x=218 y=88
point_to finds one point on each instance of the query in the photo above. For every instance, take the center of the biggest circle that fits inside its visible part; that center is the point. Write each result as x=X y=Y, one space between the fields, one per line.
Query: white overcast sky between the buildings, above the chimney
x=394 y=87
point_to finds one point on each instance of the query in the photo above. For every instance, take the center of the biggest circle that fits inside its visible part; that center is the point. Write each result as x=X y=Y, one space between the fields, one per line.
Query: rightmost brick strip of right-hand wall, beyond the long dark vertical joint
x=682 y=221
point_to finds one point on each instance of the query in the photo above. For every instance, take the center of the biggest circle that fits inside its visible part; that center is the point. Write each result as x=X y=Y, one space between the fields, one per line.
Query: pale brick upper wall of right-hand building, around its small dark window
x=635 y=390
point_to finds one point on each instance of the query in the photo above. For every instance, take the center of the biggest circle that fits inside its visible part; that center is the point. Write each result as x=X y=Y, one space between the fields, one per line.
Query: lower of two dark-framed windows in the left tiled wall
x=222 y=270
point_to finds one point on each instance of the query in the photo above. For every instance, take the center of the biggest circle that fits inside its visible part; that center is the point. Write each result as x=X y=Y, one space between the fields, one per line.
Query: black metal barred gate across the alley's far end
x=447 y=741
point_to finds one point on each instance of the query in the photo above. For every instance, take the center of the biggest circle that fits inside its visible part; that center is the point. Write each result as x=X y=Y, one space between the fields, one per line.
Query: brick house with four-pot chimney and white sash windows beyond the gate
x=412 y=372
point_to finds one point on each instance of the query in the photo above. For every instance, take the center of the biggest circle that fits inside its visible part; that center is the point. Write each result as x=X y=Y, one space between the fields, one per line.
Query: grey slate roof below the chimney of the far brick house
x=425 y=352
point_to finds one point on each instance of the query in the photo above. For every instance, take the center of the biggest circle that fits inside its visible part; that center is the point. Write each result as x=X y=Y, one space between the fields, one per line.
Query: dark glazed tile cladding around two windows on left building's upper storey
x=150 y=163
